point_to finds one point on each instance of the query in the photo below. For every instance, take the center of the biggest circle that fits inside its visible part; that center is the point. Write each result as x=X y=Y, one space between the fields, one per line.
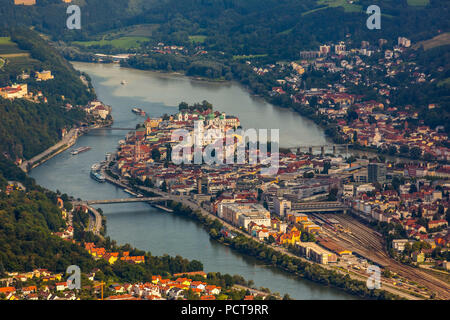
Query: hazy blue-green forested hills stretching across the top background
x=279 y=28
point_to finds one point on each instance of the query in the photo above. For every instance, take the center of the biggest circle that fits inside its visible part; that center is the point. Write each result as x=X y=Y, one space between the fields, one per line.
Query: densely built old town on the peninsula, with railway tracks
x=335 y=210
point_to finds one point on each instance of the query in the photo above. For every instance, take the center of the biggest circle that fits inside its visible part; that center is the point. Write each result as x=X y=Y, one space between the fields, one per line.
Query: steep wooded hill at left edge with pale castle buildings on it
x=28 y=127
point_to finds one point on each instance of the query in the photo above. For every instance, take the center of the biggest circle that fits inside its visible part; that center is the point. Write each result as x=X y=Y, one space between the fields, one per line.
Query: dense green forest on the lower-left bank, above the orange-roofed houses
x=28 y=219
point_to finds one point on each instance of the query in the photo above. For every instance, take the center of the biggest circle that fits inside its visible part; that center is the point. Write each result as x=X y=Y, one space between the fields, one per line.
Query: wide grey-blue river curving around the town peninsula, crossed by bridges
x=149 y=228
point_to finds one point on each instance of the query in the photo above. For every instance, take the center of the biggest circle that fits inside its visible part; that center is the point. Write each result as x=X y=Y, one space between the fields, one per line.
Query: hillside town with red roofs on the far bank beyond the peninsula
x=351 y=90
